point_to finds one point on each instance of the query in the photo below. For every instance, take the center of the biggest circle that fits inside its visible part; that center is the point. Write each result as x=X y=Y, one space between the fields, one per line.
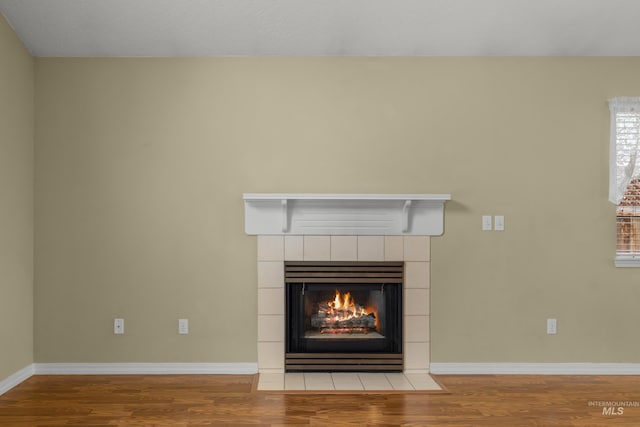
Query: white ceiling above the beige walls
x=326 y=27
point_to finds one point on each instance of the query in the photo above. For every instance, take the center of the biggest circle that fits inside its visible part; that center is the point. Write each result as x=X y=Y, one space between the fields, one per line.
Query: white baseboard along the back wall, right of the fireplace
x=536 y=368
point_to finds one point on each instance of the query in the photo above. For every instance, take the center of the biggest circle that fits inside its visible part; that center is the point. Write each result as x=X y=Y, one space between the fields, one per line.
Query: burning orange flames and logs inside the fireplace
x=344 y=316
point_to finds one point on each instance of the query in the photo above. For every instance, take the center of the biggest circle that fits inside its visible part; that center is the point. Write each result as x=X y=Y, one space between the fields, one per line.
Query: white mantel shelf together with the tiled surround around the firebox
x=344 y=228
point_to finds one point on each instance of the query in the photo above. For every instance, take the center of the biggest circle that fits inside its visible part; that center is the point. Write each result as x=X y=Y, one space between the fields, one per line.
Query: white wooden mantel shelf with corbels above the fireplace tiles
x=345 y=214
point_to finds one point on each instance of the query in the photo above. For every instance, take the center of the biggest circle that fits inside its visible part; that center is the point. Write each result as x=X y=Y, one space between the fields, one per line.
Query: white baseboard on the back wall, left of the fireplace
x=144 y=368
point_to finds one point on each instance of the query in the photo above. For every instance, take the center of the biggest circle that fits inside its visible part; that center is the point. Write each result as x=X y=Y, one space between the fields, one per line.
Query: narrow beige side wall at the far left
x=16 y=203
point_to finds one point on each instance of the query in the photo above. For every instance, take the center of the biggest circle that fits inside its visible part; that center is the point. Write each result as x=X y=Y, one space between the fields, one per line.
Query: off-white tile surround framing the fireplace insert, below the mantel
x=273 y=251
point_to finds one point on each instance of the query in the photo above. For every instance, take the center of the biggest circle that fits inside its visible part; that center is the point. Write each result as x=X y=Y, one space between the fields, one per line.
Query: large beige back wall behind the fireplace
x=141 y=165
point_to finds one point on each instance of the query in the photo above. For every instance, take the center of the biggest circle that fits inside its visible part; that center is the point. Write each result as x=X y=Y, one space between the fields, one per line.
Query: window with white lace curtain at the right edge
x=624 y=178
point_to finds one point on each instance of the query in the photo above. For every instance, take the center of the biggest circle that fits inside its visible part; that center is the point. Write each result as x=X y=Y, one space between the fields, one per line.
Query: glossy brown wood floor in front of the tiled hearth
x=204 y=400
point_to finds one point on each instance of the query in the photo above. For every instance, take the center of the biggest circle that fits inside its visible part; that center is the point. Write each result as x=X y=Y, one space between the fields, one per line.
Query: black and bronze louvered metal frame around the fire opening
x=344 y=354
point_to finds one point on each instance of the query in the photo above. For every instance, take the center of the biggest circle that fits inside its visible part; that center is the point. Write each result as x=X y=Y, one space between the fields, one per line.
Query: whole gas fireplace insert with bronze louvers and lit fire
x=343 y=316
